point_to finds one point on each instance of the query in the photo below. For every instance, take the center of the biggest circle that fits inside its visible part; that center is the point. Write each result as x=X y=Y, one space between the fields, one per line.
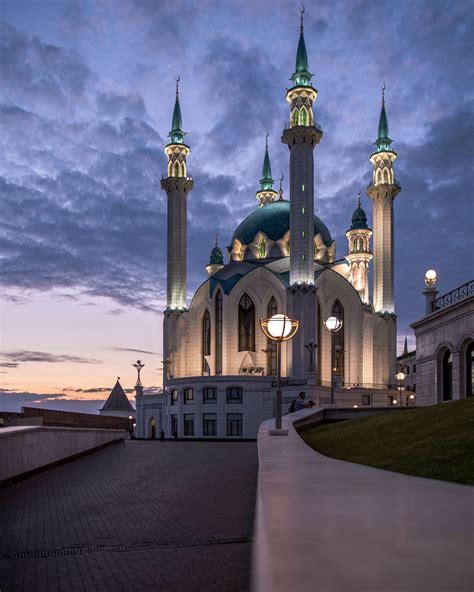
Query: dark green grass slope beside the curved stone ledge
x=435 y=441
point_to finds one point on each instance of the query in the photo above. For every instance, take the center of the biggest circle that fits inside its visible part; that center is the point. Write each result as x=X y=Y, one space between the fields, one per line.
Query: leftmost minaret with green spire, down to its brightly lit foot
x=177 y=186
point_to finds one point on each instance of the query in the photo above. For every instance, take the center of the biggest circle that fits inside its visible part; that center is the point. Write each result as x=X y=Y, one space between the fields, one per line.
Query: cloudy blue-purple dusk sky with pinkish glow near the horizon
x=86 y=97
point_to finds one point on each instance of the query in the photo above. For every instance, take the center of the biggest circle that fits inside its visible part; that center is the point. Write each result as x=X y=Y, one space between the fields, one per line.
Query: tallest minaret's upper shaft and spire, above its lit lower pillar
x=301 y=136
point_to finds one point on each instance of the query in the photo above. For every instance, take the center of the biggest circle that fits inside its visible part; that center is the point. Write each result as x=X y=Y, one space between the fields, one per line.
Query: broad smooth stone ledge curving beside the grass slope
x=325 y=525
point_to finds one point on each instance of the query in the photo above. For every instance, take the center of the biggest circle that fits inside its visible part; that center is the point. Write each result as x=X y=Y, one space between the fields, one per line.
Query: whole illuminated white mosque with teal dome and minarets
x=219 y=367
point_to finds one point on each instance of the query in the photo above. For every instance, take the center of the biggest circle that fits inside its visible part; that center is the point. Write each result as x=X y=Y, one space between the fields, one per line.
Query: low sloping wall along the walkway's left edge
x=24 y=450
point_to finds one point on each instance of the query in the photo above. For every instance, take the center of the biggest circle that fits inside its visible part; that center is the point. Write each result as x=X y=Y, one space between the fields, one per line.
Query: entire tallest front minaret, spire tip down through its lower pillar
x=301 y=136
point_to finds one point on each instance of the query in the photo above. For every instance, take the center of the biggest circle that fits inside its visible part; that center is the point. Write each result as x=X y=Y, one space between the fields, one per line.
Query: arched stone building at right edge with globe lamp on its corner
x=445 y=344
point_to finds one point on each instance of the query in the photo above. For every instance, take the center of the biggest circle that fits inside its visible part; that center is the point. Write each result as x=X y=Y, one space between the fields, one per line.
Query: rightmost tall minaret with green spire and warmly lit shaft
x=382 y=191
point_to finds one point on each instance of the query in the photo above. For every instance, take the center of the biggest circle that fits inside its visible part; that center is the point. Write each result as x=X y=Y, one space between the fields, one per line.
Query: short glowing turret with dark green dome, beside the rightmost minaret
x=359 y=254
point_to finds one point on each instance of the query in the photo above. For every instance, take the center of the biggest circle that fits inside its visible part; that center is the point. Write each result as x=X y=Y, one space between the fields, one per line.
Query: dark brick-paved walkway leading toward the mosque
x=137 y=516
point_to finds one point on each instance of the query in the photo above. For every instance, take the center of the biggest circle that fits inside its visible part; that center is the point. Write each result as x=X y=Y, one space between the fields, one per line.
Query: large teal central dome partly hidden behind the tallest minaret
x=274 y=220
